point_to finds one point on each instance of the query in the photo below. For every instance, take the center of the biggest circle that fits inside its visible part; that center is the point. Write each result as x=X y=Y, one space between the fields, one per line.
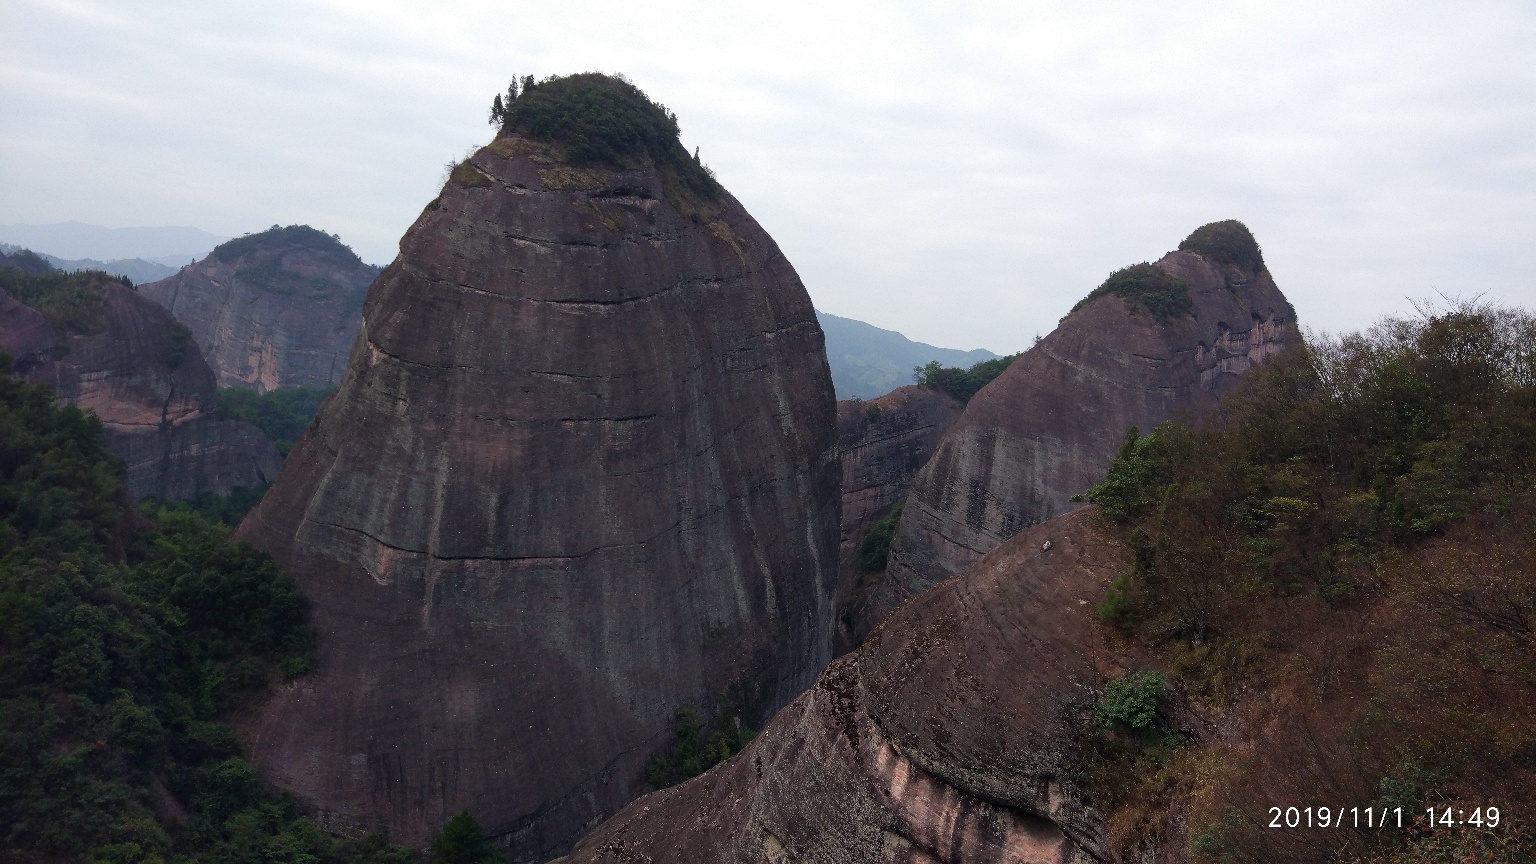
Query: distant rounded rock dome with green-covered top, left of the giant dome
x=273 y=310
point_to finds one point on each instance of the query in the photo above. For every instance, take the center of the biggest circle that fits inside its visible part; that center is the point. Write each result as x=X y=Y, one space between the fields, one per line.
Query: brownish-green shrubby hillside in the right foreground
x=1340 y=570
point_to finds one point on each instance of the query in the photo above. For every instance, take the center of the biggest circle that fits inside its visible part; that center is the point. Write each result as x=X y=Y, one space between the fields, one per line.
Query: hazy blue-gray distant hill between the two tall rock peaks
x=869 y=362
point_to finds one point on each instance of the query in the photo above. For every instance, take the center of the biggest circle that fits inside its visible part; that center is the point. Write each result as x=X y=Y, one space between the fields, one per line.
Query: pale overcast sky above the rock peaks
x=962 y=173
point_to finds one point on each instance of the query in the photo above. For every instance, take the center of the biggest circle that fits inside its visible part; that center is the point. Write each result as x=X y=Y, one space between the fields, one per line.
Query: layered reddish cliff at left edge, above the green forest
x=139 y=371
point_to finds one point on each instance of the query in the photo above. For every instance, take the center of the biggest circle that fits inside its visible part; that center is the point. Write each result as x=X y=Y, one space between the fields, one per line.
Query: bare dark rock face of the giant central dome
x=581 y=471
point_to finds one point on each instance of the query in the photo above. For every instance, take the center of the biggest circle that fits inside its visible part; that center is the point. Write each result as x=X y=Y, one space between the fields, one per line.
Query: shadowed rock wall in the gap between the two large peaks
x=884 y=444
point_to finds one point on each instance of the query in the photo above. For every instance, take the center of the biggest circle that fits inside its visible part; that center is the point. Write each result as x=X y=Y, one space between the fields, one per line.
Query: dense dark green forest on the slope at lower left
x=130 y=639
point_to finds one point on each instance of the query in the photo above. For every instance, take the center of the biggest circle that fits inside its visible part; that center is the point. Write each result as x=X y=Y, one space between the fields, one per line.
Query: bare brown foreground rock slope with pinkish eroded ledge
x=948 y=737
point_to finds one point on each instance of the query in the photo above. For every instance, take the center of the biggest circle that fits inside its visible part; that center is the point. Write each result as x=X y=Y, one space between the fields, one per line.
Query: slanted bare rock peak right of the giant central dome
x=1048 y=427
